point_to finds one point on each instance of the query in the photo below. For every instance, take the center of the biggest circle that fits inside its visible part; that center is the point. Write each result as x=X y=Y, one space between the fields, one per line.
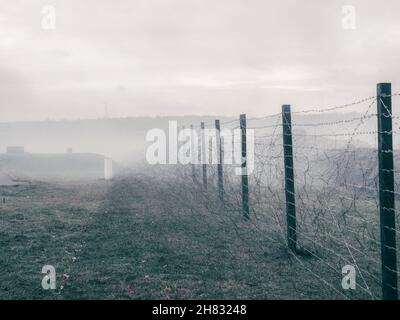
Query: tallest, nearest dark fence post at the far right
x=386 y=192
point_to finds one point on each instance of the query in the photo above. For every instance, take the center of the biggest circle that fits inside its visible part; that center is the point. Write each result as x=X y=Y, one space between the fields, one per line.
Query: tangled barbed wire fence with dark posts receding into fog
x=325 y=189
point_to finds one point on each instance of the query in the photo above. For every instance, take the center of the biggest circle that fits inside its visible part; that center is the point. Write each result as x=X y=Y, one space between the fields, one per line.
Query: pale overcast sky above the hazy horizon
x=176 y=57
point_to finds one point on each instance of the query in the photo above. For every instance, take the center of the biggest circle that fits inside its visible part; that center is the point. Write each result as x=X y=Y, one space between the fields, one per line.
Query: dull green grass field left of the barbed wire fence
x=130 y=239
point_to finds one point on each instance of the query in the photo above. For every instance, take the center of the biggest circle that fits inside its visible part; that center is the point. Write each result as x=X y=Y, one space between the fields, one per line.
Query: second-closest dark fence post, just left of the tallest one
x=289 y=178
